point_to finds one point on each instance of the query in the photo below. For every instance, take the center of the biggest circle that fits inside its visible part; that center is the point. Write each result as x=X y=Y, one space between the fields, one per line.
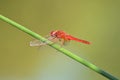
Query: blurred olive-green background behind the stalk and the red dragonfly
x=94 y=20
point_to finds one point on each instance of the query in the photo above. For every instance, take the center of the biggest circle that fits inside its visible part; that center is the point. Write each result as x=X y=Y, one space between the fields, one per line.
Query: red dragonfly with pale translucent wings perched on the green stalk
x=61 y=36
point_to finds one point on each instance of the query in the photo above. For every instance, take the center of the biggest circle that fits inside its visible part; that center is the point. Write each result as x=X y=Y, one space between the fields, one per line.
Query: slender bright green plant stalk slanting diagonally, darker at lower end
x=57 y=47
